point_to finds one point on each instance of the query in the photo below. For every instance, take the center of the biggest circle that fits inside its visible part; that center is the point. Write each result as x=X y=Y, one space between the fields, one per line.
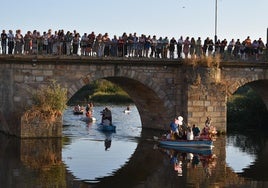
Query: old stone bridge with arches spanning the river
x=161 y=89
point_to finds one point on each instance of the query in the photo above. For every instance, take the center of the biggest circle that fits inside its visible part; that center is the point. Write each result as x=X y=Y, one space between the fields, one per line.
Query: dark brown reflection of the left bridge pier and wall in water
x=31 y=162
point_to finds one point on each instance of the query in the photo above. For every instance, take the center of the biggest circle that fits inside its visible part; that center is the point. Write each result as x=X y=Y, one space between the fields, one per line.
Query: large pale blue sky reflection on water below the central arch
x=88 y=160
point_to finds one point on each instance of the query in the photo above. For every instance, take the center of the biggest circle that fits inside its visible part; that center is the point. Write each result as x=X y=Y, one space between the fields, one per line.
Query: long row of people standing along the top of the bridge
x=126 y=45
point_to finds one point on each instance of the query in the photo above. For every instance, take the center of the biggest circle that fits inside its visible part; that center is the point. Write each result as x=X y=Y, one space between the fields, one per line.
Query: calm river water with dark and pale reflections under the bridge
x=129 y=157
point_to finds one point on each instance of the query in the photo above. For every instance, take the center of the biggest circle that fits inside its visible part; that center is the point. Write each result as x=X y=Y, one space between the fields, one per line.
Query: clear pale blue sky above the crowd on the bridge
x=236 y=19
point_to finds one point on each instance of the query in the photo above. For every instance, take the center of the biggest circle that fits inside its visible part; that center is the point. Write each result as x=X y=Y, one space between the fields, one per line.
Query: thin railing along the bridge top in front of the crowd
x=149 y=55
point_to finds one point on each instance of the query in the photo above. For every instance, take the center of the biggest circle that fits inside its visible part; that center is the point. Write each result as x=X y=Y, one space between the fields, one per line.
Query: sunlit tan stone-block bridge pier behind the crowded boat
x=206 y=96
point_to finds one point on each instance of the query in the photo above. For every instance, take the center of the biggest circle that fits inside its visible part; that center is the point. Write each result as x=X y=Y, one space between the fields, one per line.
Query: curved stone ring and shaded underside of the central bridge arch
x=152 y=102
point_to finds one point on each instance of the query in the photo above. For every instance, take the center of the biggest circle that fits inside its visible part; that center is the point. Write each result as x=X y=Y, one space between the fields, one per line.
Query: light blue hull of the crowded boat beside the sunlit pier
x=186 y=143
